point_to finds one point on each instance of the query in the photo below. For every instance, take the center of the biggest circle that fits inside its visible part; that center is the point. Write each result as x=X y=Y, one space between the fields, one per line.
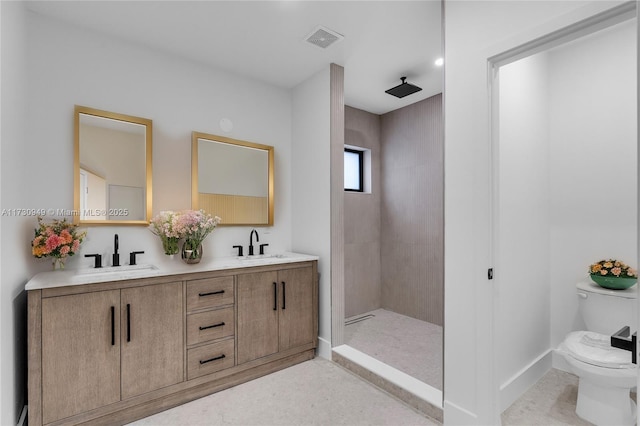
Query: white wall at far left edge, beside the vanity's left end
x=13 y=165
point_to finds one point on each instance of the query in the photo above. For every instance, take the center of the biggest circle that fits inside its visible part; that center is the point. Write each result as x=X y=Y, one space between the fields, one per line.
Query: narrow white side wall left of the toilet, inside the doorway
x=523 y=216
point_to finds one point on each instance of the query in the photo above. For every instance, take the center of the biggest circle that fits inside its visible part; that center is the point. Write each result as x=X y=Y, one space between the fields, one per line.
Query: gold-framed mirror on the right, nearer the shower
x=232 y=179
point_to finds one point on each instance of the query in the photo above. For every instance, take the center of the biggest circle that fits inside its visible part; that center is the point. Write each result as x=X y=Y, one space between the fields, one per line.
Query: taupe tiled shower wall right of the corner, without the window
x=412 y=204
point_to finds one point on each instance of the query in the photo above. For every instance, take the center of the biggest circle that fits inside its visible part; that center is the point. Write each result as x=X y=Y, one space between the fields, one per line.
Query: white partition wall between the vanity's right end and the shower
x=310 y=190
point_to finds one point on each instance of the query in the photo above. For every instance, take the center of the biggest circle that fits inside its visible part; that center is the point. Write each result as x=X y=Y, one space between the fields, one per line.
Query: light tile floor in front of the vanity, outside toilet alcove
x=316 y=392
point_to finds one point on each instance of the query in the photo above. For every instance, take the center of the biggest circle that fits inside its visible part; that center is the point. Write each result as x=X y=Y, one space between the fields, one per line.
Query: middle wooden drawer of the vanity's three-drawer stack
x=210 y=325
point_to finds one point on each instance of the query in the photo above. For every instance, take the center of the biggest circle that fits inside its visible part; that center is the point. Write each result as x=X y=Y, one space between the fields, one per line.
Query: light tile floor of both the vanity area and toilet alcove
x=319 y=392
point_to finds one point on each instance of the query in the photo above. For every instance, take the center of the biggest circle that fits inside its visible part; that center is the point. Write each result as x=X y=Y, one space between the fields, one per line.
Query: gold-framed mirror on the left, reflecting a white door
x=112 y=168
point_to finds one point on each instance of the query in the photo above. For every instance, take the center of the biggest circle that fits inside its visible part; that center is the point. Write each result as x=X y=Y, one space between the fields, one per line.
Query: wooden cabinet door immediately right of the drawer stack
x=257 y=315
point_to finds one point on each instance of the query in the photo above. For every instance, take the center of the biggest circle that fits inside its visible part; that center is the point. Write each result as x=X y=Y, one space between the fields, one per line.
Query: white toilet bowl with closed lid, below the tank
x=606 y=376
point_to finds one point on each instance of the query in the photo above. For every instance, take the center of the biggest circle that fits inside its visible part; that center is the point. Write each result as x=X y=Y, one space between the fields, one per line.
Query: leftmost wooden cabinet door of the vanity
x=80 y=353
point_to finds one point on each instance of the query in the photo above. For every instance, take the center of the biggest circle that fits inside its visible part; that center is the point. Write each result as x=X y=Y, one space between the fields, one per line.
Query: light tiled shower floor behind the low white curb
x=407 y=344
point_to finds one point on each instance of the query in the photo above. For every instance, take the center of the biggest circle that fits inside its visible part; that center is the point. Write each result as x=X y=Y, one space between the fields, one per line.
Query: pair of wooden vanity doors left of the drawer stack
x=101 y=347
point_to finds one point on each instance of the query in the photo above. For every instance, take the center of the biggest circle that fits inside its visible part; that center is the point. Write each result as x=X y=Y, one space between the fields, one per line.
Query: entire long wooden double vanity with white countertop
x=112 y=347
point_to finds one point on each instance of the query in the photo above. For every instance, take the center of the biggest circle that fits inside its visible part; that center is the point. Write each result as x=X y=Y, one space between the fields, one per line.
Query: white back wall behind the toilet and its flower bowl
x=593 y=146
